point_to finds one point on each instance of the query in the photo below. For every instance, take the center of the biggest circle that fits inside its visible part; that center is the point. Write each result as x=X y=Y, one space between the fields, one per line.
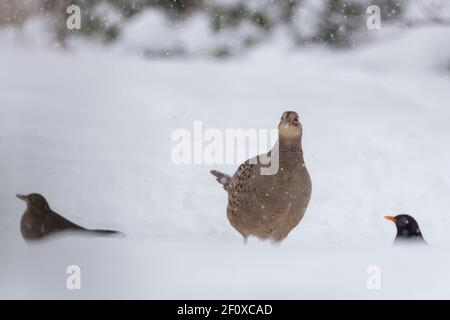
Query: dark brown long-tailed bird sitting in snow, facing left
x=40 y=221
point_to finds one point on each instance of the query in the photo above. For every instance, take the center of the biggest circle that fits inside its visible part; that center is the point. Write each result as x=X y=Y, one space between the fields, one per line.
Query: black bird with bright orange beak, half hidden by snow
x=408 y=230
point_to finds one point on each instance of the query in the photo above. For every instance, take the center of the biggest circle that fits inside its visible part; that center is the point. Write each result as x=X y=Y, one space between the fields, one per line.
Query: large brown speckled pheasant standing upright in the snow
x=269 y=205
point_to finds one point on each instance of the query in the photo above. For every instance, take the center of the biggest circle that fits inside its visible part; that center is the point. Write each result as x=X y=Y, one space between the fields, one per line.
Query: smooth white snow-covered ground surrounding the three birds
x=91 y=131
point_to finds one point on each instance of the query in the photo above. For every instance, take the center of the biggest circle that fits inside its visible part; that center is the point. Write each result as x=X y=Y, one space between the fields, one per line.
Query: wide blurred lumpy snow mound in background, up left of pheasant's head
x=152 y=33
